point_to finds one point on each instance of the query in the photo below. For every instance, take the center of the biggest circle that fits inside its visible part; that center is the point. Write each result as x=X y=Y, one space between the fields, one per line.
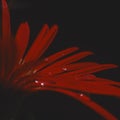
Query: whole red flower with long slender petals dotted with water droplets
x=60 y=72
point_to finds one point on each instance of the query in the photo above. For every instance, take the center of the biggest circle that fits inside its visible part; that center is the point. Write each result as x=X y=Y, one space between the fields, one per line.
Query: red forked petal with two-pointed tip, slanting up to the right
x=41 y=43
